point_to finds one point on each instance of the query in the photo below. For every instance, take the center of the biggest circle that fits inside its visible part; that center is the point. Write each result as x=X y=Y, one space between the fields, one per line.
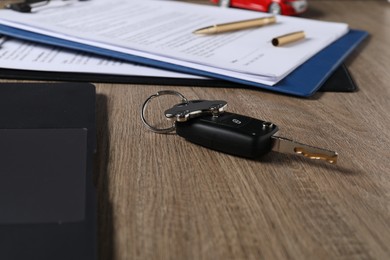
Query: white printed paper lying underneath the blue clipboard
x=26 y=55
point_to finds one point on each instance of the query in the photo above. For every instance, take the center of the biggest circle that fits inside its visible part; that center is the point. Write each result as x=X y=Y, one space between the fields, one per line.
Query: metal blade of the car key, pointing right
x=285 y=145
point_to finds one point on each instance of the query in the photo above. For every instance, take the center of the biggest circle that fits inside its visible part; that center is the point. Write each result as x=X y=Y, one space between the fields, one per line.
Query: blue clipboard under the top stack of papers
x=303 y=81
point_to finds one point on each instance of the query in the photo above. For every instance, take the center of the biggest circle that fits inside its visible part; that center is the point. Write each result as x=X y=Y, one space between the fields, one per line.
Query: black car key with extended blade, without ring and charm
x=245 y=137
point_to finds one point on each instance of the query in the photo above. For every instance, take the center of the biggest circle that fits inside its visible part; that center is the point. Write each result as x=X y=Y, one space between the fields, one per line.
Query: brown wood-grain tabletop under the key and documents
x=161 y=197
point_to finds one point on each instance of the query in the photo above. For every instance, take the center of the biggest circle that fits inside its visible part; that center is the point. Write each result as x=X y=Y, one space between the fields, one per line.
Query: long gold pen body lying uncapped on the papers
x=234 y=26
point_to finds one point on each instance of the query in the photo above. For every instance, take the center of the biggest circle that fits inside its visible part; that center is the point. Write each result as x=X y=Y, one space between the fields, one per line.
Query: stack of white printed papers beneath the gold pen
x=162 y=31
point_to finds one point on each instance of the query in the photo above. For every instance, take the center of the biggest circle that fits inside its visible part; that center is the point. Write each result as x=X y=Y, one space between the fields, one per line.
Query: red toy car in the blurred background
x=284 y=7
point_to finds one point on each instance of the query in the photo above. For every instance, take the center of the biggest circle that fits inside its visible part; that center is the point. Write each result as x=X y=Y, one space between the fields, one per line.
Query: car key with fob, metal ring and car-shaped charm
x=206 y=123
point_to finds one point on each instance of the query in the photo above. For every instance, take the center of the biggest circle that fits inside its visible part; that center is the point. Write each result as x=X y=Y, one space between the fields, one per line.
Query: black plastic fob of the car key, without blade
x=230 y=133
